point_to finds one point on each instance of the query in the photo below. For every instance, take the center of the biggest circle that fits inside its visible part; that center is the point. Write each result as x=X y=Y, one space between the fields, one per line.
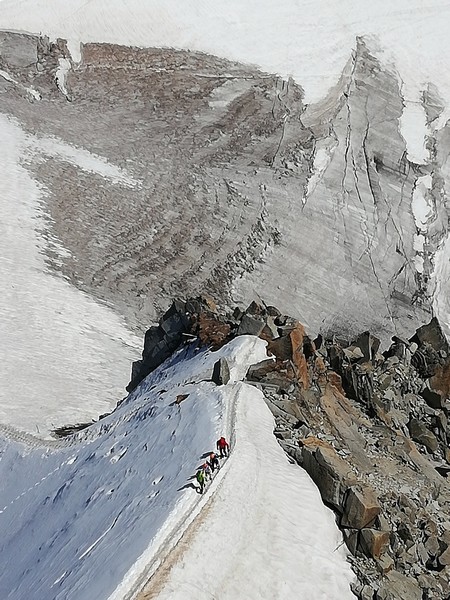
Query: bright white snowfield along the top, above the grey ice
x=310 y=41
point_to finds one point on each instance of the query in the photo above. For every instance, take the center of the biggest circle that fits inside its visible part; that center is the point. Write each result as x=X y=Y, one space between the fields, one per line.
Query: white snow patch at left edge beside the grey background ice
x=76 y=353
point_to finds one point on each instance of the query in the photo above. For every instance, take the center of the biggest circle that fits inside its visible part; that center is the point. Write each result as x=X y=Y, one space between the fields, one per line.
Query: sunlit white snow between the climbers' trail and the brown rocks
x=265 y=533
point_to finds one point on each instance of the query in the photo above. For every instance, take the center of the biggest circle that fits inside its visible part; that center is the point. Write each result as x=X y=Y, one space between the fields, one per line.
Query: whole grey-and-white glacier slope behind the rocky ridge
x=160 y=173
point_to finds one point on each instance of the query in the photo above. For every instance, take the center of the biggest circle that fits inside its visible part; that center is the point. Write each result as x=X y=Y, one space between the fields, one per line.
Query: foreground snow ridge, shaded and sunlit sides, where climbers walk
x=88 y=518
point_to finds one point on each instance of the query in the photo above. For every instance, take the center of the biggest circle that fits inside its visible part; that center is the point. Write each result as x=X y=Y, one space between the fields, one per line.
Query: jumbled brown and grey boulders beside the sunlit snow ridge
x=361 y=423
